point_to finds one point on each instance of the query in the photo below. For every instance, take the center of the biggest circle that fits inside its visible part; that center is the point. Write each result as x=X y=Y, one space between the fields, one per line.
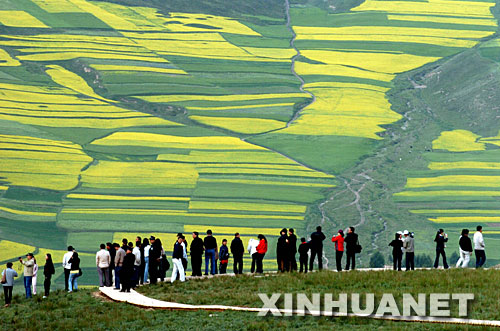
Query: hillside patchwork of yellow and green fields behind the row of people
x=128 y=117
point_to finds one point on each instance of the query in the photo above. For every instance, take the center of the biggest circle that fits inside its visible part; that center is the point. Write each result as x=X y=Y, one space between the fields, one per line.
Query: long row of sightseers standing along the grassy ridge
x=130 y=264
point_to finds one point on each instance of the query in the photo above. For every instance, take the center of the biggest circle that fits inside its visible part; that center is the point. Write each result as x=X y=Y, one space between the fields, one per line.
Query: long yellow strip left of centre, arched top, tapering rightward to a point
x=169 y=141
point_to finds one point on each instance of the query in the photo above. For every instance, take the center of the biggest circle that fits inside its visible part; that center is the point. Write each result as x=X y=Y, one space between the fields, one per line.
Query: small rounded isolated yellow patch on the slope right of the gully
x=458 y=141
